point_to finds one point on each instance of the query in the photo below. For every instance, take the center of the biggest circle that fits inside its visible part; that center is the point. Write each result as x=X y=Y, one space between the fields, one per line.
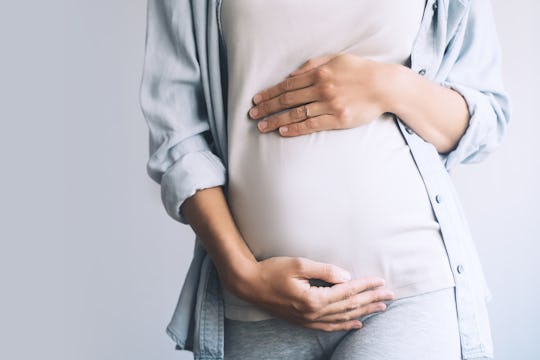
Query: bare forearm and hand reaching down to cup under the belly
x=280 y=284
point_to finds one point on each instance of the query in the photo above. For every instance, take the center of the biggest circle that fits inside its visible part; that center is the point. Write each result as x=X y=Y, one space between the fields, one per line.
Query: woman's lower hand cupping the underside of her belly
x=281 y=286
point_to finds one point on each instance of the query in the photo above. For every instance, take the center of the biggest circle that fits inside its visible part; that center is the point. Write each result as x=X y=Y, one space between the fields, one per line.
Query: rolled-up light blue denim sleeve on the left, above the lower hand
x=172 y=102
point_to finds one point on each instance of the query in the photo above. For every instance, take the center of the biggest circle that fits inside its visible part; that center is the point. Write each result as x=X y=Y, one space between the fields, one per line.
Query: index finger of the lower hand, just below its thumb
x=343 y=291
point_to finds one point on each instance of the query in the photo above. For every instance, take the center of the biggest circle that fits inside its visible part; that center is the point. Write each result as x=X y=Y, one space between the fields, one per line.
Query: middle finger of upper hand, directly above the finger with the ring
x=284 y=101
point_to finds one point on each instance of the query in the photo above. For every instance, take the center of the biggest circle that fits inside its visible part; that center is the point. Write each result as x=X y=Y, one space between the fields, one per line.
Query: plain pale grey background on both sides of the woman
x=91 y=265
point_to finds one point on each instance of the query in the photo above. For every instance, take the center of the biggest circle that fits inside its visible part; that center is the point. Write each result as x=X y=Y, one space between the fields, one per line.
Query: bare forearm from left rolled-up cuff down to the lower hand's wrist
x=210 y=218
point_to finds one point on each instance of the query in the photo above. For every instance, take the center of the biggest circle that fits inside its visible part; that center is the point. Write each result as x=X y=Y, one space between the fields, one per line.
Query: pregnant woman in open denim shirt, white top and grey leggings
x=308 y=146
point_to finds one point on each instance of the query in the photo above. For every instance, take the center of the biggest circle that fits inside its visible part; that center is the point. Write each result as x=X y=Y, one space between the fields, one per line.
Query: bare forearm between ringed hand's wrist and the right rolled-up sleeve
x=436 y=113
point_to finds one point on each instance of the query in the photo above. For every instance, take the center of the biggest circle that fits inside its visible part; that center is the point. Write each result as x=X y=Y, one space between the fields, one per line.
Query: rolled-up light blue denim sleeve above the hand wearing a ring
x=477 y=76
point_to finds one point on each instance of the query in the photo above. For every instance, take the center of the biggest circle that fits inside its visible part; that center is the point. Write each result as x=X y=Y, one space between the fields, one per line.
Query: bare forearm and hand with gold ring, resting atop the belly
x=344 y=91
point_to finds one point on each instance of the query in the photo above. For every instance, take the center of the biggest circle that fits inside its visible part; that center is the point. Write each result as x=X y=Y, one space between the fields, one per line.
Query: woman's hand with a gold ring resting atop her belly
x=340 y=91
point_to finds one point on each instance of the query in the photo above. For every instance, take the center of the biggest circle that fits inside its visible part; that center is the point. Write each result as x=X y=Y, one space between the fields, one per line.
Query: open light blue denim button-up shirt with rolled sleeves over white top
x=183 y=99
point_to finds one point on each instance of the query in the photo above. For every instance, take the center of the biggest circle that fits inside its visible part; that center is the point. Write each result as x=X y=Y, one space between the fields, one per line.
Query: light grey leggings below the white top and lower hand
x=416 y=327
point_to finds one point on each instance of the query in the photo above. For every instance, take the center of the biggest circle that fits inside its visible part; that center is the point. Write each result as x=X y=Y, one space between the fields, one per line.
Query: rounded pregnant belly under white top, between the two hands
x=339 y=196
